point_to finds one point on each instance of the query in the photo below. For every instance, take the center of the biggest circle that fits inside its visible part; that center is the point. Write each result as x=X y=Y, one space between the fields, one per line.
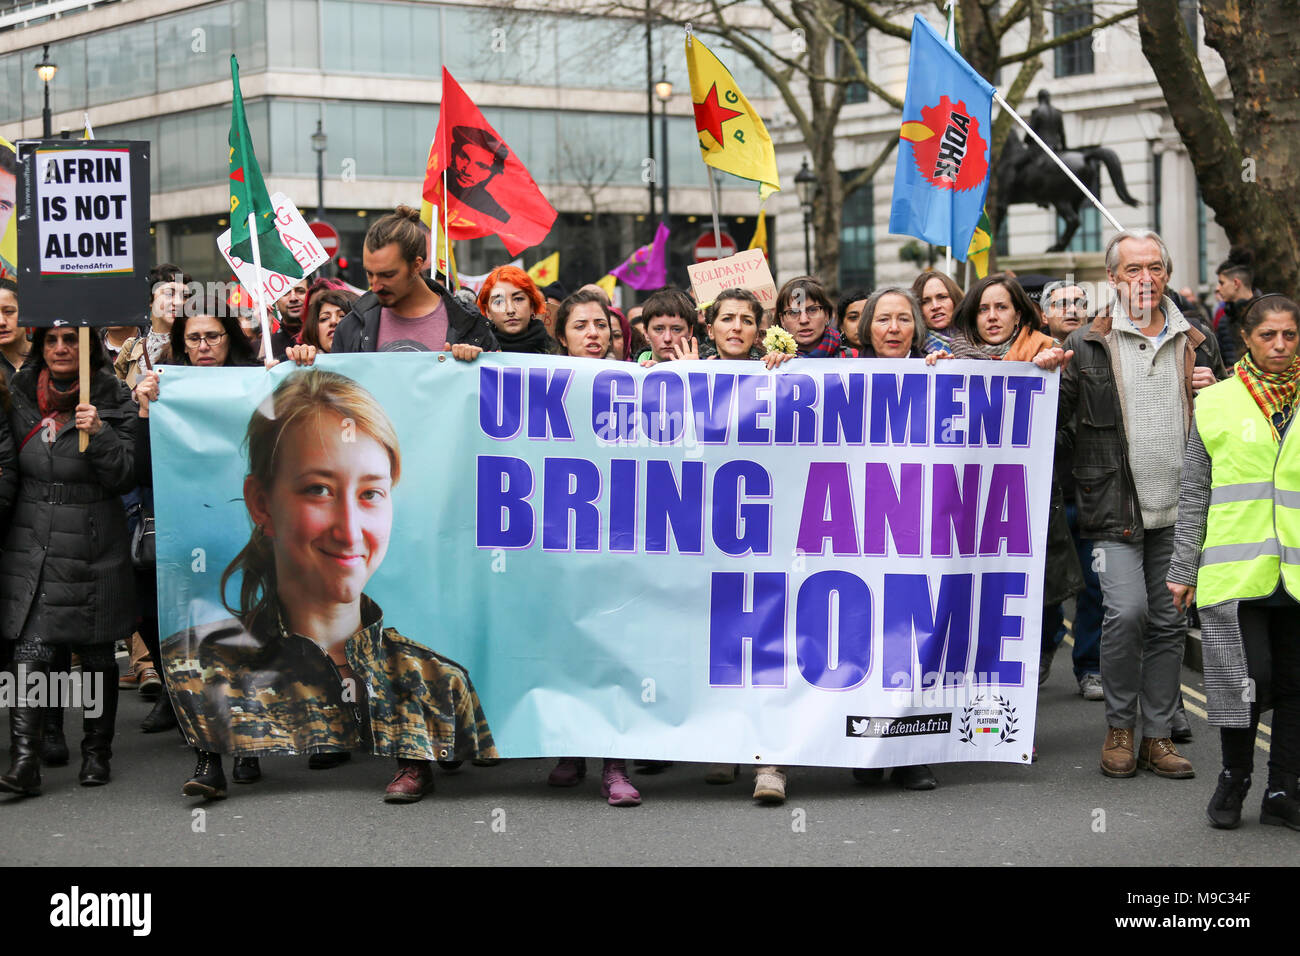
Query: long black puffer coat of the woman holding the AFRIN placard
x=67 y=551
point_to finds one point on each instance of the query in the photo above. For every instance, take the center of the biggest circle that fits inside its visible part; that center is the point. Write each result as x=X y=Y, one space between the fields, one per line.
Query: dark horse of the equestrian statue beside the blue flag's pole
x=1035 y=179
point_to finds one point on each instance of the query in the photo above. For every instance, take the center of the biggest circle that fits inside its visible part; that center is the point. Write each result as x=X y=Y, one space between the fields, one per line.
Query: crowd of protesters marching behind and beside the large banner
x=1163 y=501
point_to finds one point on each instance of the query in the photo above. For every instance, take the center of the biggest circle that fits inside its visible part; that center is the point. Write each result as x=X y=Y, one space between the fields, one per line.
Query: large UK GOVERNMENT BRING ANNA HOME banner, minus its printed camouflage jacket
x=839 y=564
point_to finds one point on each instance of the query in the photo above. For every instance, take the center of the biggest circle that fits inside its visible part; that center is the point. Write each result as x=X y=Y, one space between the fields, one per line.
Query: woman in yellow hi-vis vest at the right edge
x=1237 y=555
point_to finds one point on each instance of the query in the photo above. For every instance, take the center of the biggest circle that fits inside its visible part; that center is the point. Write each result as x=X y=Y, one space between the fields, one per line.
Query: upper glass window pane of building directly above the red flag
x=500 y=46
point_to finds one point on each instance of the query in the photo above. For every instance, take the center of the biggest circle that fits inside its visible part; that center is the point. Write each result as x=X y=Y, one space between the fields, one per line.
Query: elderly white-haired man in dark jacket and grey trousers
x=1126 y=403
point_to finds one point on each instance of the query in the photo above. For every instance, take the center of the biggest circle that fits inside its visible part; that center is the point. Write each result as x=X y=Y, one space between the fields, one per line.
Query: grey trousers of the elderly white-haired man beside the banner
x=1142 y=633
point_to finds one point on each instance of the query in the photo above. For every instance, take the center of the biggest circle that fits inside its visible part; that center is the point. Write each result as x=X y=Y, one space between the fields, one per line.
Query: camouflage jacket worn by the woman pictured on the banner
x=280 y=694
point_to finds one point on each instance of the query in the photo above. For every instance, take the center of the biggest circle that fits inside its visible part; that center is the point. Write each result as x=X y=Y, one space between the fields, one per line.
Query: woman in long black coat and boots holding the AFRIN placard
x=67 y=572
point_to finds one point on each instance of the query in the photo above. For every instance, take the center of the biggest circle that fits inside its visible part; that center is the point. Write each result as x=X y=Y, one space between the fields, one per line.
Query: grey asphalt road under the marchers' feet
x=1060 y=811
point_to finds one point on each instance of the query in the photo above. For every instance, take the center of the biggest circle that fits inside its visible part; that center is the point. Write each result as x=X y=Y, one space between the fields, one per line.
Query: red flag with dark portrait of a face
x=489 y=189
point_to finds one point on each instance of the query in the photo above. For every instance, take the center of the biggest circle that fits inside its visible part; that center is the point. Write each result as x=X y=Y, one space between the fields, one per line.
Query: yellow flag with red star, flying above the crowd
x=733 y=137
